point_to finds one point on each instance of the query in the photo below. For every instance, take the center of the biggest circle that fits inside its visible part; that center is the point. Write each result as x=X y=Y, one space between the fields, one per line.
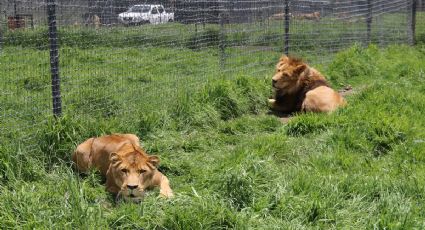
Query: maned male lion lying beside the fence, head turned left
x=299 y=87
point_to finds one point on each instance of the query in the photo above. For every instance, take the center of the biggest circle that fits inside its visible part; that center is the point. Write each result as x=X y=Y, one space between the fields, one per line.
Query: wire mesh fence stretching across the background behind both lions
x=100 y=59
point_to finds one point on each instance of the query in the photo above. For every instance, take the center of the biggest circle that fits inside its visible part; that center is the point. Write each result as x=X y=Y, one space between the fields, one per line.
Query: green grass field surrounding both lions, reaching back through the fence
x=230 y=163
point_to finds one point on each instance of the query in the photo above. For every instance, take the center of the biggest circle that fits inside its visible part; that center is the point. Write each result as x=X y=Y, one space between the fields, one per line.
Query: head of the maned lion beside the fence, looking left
x=288 y=71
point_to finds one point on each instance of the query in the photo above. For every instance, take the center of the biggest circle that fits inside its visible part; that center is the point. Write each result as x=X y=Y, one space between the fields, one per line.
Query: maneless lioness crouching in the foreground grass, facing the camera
x=129 y=171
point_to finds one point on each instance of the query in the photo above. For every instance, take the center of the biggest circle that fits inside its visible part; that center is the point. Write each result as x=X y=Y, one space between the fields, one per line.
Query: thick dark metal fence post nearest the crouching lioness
x=54 y=58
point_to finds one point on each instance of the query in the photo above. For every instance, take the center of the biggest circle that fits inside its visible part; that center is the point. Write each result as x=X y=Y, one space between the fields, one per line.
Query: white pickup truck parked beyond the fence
x=140 y=14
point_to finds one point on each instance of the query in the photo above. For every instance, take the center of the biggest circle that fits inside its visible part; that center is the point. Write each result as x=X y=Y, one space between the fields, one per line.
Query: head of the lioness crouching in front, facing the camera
x=131 y=169
